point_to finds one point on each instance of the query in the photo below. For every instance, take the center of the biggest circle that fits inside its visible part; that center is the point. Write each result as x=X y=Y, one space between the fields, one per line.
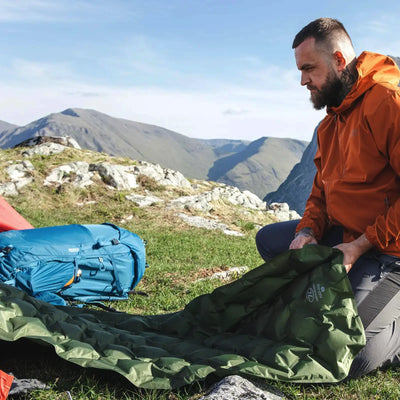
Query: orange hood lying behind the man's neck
x=372 y=69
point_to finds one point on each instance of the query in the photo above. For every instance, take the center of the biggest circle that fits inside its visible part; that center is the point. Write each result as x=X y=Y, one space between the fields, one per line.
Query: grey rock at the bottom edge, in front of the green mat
x=237 y=388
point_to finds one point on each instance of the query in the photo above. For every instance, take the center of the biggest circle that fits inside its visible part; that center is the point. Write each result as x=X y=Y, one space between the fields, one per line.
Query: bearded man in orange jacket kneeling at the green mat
x=354 y=204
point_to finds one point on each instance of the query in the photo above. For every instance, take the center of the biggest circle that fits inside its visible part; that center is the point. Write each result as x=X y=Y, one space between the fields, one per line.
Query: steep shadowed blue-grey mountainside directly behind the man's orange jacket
x=297 y=186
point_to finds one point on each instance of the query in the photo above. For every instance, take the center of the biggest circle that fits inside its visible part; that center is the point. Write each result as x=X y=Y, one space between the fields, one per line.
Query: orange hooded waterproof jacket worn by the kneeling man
x=357 y=184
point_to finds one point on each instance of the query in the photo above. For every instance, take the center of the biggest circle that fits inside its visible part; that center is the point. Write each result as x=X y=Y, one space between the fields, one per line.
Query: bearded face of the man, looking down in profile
x=319 y=75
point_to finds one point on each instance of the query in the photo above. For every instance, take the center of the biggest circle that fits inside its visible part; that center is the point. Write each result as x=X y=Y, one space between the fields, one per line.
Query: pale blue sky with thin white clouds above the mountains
x=203 y=68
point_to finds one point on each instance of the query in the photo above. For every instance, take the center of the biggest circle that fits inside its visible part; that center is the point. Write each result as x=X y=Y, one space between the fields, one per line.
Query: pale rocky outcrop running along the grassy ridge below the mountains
x=201 y=197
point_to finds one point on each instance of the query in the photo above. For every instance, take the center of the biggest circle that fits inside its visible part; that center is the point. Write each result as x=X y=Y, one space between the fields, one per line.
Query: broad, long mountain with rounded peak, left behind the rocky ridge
x=99 y=132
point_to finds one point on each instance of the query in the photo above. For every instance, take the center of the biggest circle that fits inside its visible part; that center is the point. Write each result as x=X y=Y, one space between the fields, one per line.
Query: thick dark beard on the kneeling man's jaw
x=333 y=91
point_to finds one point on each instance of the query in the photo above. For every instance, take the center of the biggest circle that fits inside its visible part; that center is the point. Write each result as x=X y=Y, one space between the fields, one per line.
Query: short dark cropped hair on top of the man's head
x=323 y=30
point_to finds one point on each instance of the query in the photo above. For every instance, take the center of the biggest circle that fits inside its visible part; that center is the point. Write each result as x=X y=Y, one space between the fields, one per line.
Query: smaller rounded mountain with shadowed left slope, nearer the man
x=249 y=170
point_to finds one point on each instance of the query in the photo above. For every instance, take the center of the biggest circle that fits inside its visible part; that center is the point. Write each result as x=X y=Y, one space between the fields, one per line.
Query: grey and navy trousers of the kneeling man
x=375 y=280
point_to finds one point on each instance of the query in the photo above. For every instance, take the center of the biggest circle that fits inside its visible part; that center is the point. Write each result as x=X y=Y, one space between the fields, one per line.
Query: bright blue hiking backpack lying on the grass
x=84 y=263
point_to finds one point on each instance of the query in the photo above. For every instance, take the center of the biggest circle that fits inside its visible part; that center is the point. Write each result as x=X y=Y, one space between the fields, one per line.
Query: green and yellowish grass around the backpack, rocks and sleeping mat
x=178 y=256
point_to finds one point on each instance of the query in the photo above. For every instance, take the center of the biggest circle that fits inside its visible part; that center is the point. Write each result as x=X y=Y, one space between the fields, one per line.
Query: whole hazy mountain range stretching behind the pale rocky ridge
x=258 y=166
